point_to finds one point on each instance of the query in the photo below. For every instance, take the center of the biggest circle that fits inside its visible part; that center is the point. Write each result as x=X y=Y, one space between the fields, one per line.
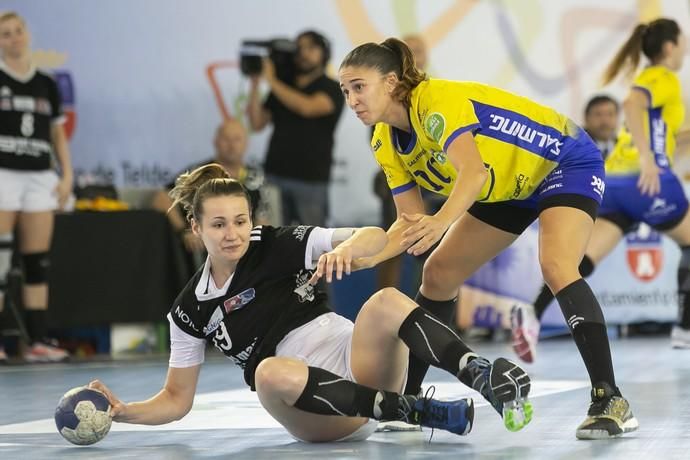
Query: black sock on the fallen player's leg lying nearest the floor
x=328 y=394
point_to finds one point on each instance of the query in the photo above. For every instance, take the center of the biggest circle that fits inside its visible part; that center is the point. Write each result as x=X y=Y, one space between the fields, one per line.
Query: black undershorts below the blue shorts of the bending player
x=512 y=218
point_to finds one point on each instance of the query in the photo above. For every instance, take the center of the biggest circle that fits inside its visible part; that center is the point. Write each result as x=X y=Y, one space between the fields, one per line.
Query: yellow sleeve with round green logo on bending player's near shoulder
x=446 y=114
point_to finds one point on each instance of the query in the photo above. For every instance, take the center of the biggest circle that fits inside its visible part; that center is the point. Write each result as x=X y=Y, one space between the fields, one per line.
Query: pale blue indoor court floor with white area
x=228 y=422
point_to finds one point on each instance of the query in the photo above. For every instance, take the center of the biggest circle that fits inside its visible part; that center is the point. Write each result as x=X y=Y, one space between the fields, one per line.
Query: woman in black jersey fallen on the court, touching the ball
x=255 y=300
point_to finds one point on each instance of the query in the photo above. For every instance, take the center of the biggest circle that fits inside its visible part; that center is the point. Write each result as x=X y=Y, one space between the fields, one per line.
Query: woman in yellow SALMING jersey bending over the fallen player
x=502 y=160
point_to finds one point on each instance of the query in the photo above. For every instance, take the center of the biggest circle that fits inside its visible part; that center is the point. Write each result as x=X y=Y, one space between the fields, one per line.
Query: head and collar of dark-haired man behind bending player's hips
x=602 y=122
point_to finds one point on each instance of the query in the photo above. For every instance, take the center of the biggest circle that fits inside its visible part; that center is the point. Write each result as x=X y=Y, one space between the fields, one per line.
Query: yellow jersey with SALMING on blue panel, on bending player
x=520 y=141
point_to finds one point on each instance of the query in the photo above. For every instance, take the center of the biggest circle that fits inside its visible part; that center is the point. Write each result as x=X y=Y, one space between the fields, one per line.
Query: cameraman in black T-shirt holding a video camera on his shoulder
x=304 y=113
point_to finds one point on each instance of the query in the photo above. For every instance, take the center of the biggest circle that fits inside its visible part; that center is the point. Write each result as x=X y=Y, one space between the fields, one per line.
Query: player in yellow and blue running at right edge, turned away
x=640 y=186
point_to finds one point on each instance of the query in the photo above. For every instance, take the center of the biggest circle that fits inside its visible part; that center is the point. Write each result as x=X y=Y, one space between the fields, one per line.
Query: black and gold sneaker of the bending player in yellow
x=609 y=415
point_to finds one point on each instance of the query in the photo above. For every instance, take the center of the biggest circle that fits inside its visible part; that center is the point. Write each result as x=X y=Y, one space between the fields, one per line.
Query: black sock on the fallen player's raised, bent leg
x=433 y=342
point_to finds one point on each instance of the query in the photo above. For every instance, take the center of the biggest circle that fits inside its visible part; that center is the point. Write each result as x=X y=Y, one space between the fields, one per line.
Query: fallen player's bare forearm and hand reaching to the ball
x=172 y=403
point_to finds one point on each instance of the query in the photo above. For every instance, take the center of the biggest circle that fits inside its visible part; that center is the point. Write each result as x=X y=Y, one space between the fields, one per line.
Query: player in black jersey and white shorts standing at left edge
x=32 y=133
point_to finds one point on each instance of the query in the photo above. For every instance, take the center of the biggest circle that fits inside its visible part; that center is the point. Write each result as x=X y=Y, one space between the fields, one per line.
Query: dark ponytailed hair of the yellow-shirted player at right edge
x=647 y=39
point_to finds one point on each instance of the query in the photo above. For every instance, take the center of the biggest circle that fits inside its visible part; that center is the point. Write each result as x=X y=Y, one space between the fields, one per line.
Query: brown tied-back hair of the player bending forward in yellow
x=391 y=55
